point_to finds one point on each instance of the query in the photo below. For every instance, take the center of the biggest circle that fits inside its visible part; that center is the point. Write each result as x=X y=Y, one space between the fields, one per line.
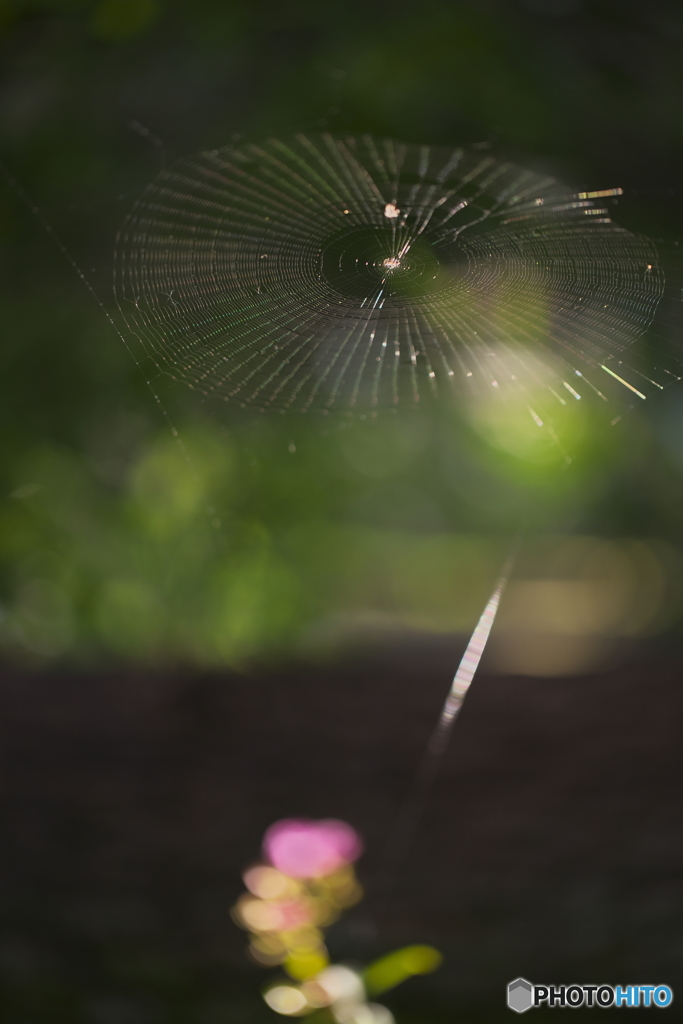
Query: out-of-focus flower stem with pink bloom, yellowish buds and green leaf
x=306 y=882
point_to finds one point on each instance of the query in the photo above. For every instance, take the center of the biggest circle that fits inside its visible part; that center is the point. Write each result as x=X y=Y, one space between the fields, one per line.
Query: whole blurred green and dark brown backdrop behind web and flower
x=157 y=713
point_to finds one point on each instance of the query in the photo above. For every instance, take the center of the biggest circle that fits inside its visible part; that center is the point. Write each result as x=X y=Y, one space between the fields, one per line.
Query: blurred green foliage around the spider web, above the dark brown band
x=249 y=539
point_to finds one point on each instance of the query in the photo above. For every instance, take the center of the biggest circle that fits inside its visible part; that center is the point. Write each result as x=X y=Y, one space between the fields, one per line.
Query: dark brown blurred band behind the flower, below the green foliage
x=551 y=846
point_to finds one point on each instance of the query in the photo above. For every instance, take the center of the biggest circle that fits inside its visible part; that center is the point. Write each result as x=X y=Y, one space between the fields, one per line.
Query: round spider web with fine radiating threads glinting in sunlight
x=352 y=274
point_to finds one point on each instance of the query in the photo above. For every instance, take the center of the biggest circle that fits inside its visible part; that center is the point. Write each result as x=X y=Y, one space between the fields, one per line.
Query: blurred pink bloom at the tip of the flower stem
x=306 y=849
